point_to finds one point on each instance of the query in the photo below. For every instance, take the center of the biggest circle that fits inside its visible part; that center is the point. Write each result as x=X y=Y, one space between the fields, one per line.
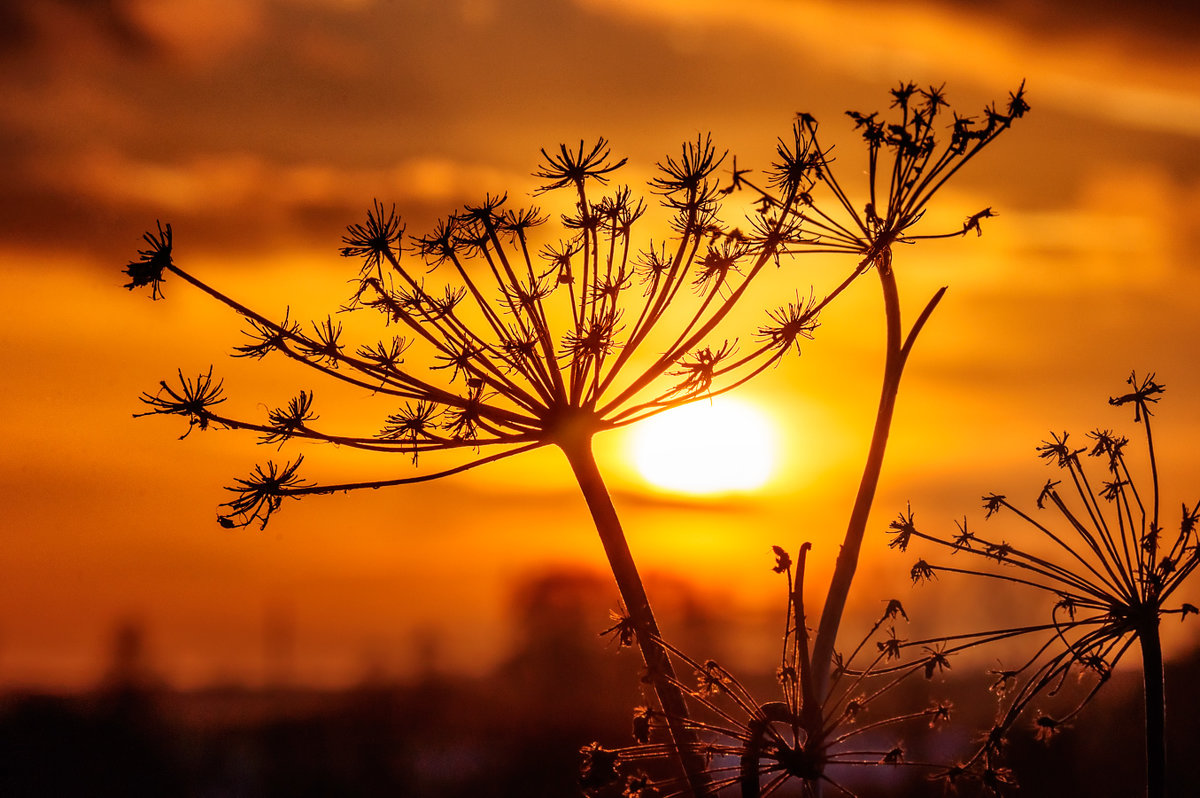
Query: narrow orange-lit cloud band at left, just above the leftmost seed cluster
x=99 y=201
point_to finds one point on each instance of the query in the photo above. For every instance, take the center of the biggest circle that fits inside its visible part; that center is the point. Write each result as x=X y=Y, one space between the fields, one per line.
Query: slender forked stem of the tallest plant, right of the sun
x=848 y=559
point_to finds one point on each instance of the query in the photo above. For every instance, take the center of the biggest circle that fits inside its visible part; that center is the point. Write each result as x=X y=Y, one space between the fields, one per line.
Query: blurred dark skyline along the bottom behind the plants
x=514 y=733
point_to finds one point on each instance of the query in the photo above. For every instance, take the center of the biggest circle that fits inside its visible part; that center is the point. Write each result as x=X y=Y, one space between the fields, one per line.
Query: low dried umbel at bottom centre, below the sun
x=755 y=748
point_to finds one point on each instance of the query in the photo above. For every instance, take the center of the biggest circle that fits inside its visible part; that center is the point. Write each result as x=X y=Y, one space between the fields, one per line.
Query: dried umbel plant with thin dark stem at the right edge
x=1109 y=577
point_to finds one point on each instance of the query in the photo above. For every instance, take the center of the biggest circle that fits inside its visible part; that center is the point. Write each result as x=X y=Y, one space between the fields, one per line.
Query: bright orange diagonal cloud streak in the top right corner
x=1121 y=74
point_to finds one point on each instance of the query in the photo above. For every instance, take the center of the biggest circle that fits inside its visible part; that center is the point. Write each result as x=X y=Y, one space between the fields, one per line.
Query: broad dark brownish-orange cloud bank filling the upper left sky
x=351 y=92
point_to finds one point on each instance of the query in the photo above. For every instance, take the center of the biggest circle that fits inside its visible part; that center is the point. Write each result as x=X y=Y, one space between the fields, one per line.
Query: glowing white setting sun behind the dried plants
x=724 y=446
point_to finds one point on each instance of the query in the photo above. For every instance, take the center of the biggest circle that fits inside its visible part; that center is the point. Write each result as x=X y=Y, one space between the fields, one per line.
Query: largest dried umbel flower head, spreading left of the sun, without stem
x=519 y=346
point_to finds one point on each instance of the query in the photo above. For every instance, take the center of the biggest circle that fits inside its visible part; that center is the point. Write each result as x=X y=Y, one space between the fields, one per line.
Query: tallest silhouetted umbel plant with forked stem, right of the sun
x=909 y=161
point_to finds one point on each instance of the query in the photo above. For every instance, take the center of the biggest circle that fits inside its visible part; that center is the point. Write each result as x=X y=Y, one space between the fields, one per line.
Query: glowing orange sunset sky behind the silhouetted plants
x=260 y=129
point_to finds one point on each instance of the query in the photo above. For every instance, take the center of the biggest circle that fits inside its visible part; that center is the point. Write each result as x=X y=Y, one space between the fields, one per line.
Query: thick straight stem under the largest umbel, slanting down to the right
x=583 y=460
